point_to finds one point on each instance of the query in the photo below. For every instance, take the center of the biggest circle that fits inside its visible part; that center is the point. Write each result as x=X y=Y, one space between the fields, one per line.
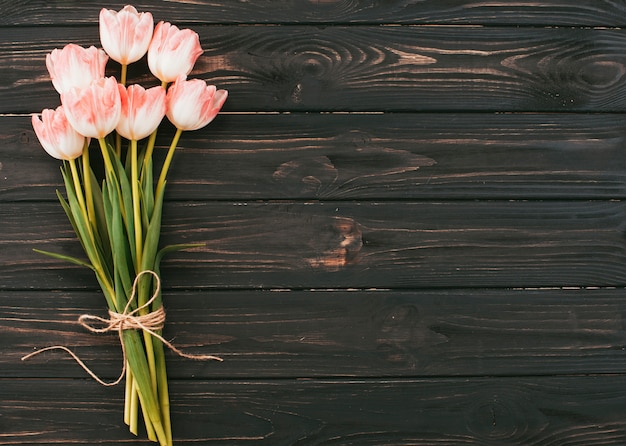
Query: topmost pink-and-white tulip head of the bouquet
x=125 y=35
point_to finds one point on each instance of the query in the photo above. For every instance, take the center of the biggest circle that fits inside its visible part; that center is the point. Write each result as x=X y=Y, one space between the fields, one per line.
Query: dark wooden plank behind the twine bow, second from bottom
x=317 y=334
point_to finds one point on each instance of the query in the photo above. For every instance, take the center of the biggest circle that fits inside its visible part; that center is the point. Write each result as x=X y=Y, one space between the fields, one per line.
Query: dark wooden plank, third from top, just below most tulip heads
x=373 y=157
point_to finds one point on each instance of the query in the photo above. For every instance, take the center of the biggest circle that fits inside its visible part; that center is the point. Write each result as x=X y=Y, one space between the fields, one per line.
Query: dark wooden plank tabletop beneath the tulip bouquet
x=413 y=221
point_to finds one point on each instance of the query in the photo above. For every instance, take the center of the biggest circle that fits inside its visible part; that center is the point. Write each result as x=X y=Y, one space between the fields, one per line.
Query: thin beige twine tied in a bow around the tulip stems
x=127 y=320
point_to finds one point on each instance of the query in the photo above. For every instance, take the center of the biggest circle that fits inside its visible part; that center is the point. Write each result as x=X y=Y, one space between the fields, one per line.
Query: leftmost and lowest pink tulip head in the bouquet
x=57 y=136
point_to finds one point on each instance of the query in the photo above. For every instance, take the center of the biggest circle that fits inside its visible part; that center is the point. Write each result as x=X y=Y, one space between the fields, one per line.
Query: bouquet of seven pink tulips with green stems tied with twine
x=117 y=215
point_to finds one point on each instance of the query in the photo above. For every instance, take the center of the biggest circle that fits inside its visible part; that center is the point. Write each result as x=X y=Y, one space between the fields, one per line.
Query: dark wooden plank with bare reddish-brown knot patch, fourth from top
x=348 y=245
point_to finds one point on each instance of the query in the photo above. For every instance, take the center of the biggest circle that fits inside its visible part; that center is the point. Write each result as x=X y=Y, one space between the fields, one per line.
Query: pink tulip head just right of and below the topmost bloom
x=172 y=51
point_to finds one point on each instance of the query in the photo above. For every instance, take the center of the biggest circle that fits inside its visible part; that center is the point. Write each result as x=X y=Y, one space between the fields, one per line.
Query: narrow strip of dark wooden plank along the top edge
x=550 y=12
